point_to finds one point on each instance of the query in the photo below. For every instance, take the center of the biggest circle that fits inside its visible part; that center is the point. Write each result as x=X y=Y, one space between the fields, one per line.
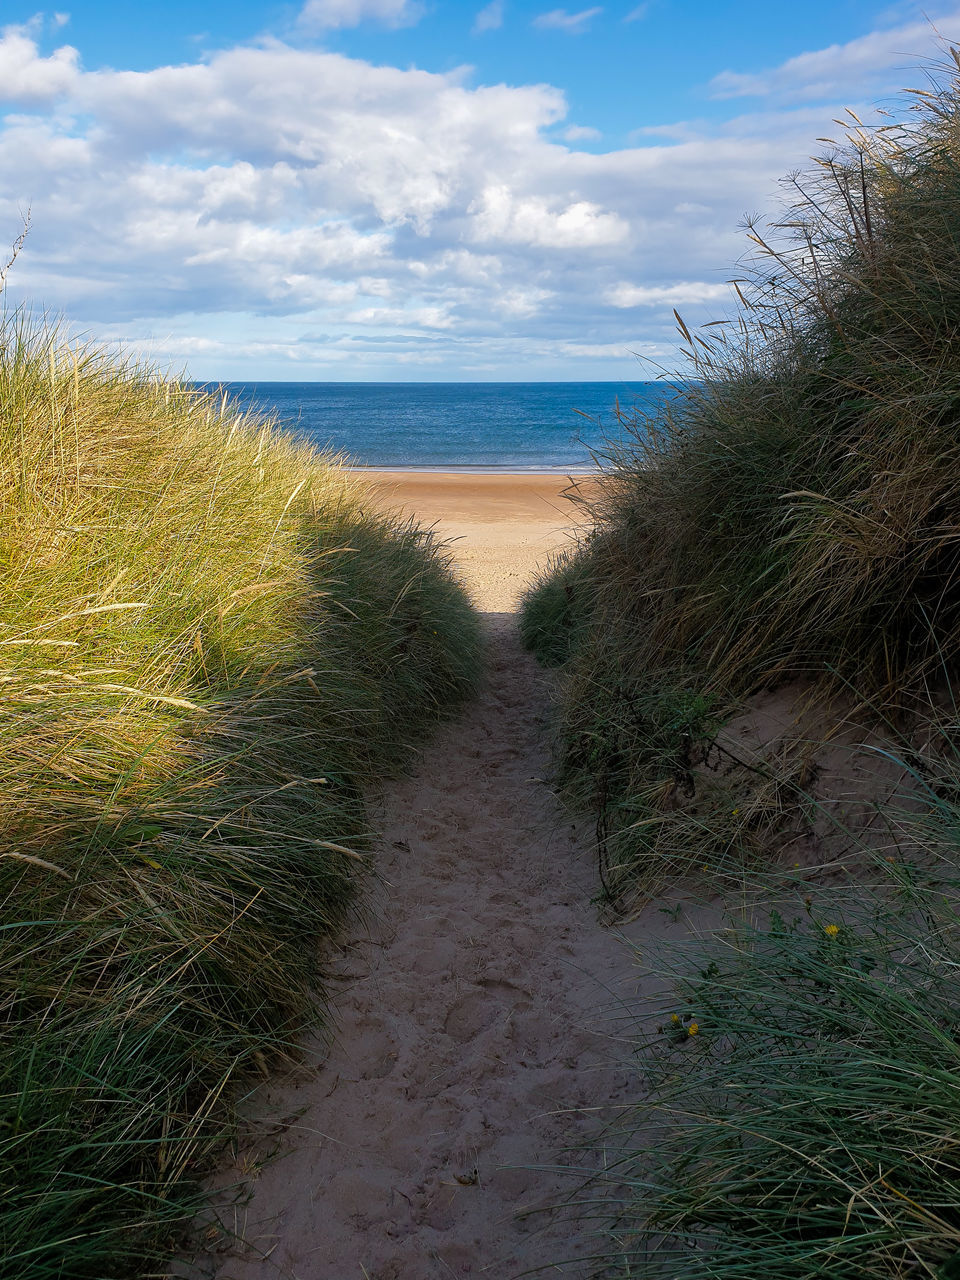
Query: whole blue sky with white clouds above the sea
x=418 y=190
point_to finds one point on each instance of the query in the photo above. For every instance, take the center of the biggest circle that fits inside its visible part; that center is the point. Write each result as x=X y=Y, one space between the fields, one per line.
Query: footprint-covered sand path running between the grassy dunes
x=473 y=1014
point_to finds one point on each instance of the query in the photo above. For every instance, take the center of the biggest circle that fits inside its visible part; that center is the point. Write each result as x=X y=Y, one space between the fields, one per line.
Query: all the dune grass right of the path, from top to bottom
x=788 y=525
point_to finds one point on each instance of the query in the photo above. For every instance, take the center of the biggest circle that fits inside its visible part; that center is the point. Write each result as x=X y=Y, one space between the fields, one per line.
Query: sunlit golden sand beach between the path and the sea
x=501 y=527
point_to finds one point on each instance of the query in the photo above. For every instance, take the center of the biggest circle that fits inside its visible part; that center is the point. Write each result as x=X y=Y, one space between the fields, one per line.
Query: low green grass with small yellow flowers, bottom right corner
x=801 y=1099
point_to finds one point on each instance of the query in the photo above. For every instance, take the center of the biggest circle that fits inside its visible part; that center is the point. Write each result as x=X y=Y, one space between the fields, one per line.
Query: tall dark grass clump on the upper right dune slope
x=792 y=514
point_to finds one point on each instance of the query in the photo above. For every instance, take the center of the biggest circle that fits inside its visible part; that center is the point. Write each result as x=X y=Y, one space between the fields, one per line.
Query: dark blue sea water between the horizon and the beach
x=484 y=426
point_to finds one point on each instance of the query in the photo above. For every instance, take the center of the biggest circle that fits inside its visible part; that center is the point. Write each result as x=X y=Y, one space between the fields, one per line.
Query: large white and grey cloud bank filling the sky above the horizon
x=318 y=214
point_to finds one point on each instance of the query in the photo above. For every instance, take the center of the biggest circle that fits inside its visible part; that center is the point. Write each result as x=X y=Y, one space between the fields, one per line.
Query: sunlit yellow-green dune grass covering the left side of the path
x=209 y=650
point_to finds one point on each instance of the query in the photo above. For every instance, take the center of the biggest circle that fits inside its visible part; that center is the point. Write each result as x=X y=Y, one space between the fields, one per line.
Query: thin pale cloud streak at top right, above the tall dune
x=840 y=71
